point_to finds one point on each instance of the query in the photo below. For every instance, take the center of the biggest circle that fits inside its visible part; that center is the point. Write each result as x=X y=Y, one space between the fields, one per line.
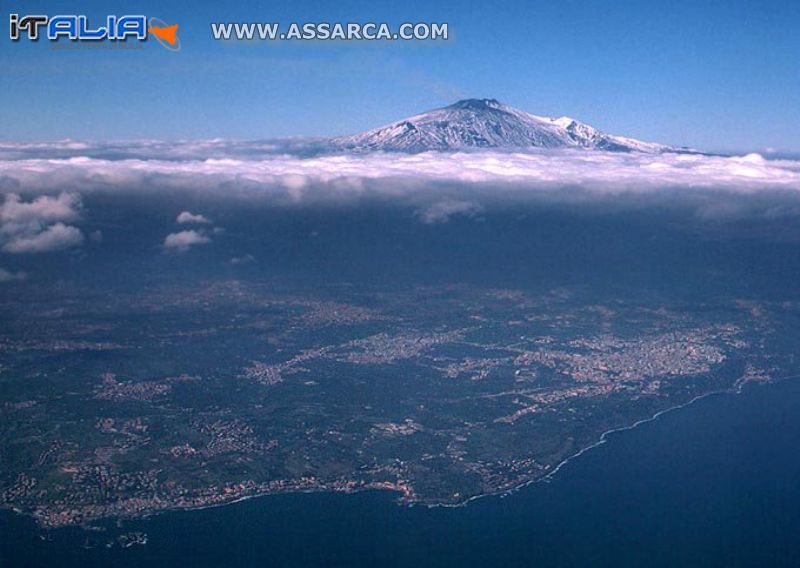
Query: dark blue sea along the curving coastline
x=716 y=483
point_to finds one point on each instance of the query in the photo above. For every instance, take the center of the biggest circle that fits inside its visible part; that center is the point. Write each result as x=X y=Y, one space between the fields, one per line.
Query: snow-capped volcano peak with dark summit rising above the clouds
x=487 y=123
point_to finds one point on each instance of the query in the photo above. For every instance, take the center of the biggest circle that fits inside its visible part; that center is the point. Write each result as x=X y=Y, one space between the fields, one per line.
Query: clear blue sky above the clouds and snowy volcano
x=715 y=75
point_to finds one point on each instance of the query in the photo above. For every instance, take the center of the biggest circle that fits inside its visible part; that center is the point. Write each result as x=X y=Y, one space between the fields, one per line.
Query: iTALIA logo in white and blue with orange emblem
x=78 y=28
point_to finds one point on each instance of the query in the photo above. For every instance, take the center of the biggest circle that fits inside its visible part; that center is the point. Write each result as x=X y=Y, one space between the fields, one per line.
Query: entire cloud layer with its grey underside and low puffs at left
x=50 y=194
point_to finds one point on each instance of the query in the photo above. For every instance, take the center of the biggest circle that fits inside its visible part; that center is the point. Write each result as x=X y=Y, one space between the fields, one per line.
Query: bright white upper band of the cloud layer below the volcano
x=294 y=177
